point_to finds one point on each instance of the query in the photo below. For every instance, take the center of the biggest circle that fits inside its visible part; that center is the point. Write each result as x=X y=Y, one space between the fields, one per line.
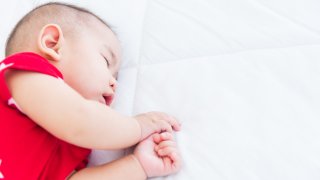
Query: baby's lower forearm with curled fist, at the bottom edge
x=155 y=156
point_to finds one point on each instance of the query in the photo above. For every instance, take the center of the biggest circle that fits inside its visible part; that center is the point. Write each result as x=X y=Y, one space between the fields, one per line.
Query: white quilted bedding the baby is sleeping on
x=241 y=75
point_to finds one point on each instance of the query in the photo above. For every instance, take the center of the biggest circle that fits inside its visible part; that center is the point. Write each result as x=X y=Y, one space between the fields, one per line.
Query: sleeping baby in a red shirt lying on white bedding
x=57 y=83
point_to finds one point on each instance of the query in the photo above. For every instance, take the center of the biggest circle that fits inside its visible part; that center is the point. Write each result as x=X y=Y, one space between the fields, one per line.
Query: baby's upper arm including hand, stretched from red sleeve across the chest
x=63 y=112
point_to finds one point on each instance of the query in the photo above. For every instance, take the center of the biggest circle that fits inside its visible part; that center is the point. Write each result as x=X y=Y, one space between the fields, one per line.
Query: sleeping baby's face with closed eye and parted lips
x=91 y=63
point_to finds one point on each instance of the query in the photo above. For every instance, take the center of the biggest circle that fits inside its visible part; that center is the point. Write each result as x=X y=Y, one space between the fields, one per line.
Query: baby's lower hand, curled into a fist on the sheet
x=158 y=155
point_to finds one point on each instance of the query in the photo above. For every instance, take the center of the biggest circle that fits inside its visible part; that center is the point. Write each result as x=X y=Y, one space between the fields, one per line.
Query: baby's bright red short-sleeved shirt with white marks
x=28 y=151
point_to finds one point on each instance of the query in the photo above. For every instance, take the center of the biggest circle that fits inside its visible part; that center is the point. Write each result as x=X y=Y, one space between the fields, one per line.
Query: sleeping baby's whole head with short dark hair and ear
x=77 y=42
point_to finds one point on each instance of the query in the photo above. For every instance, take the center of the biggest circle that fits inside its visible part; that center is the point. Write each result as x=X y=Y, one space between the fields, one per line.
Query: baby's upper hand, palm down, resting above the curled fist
x=156 y=122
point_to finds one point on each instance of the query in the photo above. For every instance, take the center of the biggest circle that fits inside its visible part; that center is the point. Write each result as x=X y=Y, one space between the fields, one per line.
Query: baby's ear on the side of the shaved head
x=50 y=40
